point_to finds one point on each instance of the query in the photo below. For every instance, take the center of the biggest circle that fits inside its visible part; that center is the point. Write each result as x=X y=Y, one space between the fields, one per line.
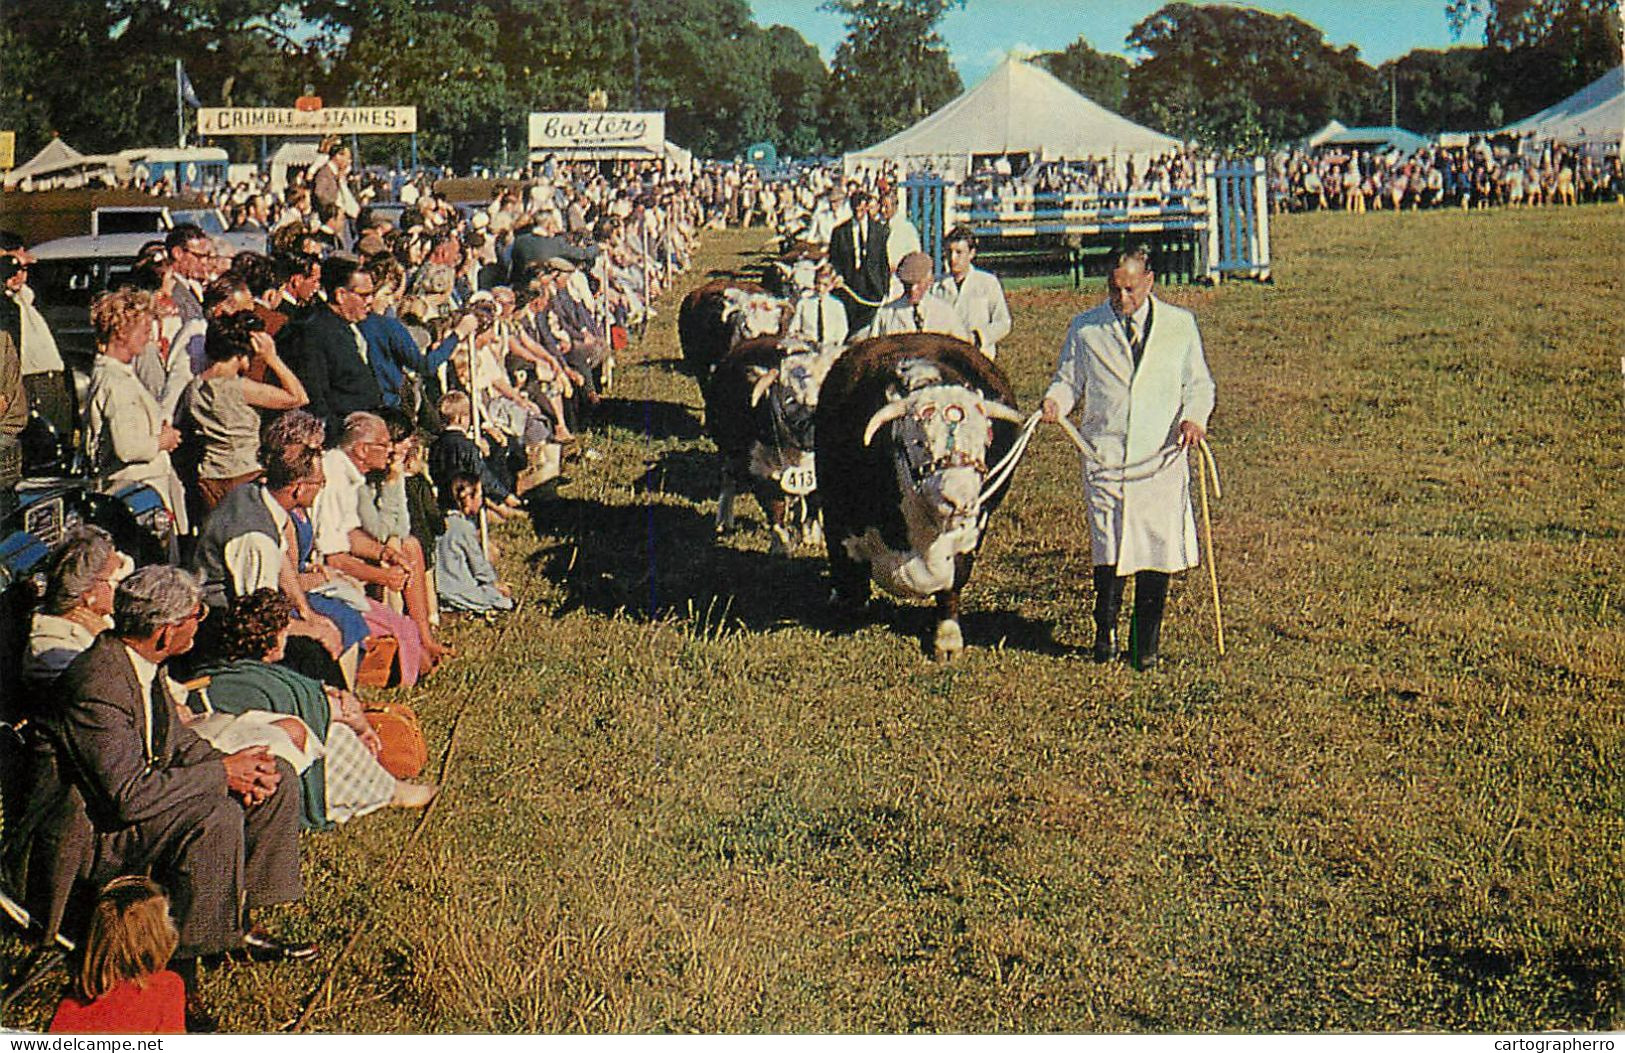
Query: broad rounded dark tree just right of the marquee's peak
x=1239 y=79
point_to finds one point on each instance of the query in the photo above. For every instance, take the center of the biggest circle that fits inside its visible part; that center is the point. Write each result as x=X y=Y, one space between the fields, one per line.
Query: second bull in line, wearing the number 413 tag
x=760 y=410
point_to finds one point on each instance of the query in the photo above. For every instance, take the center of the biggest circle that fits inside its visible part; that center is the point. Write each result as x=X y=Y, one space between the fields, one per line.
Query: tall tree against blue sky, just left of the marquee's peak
x=890 y=72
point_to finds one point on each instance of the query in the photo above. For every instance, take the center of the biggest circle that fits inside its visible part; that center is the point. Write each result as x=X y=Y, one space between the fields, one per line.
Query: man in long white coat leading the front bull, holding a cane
x=1137 y=366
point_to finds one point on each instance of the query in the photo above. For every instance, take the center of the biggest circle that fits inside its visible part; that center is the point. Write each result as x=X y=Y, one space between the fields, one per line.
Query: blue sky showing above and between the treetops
x=981 y=33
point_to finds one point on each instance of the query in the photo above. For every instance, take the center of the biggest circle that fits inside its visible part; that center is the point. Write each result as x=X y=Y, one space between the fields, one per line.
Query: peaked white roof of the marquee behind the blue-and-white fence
x=1018 y=110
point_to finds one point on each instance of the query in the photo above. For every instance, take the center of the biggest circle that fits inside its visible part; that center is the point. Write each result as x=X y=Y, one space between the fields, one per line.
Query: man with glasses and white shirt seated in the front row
x=349 y=548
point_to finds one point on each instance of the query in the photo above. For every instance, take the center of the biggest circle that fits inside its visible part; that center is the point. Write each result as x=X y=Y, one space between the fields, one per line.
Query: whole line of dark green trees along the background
x=102 y=72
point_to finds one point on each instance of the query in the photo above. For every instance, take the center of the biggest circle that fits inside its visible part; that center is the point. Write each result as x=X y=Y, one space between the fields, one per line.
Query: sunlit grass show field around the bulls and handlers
x=678 y=799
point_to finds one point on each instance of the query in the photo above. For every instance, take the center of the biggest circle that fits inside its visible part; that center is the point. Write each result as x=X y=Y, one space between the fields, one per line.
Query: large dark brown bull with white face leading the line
x=908 y=428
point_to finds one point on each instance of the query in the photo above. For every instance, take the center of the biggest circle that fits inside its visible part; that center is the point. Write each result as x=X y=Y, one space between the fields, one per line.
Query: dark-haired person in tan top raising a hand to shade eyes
x=222 y=404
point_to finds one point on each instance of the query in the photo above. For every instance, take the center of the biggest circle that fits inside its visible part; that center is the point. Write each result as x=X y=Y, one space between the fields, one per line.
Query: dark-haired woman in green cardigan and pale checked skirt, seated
x=347 y=779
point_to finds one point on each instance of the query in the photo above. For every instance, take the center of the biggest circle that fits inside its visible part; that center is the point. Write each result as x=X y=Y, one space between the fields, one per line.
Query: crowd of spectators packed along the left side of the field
x=329 y=425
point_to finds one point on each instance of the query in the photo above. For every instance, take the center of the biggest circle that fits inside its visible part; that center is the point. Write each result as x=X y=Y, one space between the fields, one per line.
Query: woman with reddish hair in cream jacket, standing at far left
x=126 y=435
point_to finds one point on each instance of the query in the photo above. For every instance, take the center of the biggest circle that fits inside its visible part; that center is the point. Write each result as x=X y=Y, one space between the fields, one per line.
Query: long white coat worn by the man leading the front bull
x=1137 y=524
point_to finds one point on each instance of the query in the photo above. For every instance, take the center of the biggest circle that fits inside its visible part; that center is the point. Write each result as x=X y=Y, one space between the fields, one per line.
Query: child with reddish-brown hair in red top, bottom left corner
x=124 y=987
